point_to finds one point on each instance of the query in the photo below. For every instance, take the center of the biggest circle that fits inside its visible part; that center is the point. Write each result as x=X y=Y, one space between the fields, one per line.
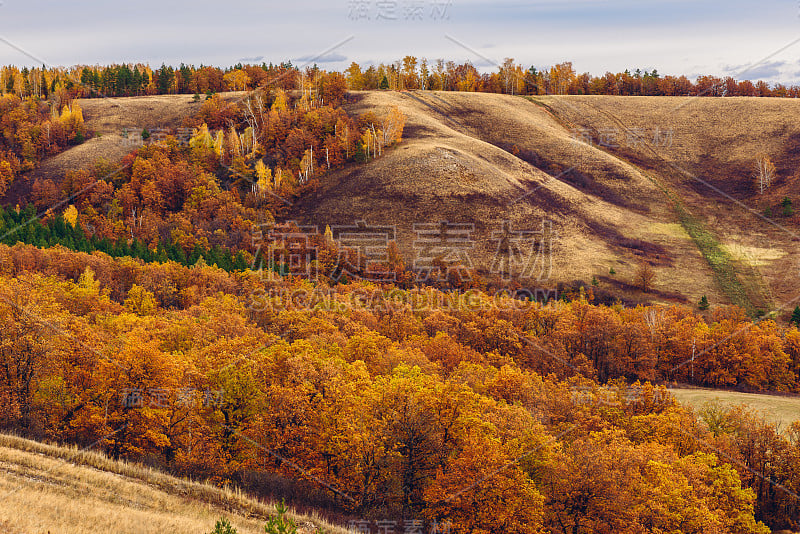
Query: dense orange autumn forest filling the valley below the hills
x=381 y=409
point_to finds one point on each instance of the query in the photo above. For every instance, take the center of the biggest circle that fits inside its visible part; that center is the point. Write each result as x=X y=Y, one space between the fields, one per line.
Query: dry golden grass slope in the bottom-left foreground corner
x=46 y=488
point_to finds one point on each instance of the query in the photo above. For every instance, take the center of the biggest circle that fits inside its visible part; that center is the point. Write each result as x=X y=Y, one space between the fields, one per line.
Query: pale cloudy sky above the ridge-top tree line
x=744 y=39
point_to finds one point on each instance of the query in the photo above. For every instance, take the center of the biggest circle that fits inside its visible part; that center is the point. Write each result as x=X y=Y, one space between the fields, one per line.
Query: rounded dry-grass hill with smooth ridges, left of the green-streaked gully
x=486 y=159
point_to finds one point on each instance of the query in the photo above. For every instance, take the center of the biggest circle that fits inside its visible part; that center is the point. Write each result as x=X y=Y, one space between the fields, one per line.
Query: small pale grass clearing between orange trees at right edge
x=775 y=409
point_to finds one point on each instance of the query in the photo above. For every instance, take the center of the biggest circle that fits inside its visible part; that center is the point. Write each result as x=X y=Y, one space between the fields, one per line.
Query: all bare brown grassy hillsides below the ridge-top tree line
x=622 y=180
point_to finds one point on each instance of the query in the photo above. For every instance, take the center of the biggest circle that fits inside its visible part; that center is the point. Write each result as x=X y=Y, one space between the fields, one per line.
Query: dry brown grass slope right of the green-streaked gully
x=709 y=162
